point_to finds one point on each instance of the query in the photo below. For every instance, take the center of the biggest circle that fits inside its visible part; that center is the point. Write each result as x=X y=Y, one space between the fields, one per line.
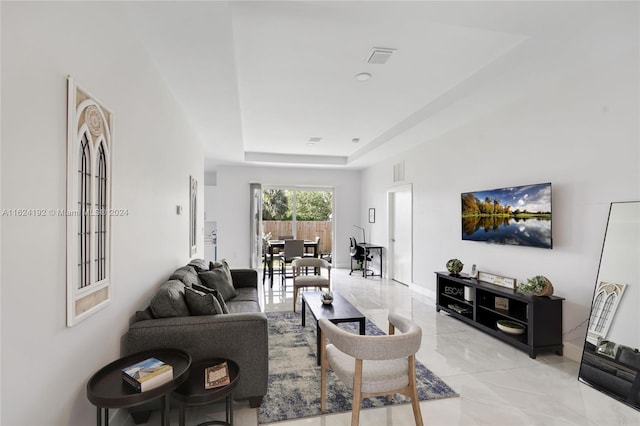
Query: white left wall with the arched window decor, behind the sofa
x=45 y=365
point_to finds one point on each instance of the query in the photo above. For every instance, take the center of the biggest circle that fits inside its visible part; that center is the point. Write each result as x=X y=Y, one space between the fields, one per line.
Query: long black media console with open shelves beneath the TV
x=541 y=316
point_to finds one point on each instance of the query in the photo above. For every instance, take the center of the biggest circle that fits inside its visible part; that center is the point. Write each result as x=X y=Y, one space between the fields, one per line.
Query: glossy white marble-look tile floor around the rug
x=498 y=385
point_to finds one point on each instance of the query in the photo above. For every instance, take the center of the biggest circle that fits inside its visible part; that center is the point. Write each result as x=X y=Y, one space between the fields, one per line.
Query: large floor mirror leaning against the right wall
x=611 y=360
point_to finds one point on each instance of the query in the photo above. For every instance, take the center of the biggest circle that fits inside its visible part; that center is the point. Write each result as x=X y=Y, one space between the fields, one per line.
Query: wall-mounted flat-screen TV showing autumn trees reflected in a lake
x=517 y=215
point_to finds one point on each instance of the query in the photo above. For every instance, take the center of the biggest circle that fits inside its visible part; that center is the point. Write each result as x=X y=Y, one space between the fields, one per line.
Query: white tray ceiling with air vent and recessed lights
x=258 y=79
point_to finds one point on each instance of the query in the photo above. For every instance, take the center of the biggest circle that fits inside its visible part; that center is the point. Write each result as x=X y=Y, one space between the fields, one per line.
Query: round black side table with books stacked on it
x=106 y=389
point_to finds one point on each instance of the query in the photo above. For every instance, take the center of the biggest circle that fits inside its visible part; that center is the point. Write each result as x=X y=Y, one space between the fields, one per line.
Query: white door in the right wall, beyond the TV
x=400 y=234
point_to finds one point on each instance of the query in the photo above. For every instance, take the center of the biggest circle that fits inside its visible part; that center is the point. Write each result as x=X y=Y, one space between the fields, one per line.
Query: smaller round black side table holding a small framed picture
x=192 y=392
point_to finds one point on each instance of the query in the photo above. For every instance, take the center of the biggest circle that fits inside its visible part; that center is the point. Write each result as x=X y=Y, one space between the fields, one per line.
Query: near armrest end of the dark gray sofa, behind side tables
x=242 y=337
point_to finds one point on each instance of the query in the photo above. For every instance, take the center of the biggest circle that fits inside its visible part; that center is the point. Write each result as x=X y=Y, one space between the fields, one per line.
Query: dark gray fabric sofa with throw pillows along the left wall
x=240 y=334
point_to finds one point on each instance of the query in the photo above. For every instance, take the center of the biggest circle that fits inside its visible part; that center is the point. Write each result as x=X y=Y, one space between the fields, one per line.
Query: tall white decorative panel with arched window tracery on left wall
x=88 y=212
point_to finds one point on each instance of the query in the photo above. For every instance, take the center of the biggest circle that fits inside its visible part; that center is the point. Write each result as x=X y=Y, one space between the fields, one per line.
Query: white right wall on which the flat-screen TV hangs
x=581 y=135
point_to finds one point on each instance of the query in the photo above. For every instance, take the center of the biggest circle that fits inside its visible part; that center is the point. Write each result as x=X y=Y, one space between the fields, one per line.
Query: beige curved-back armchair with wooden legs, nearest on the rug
x=372 y=365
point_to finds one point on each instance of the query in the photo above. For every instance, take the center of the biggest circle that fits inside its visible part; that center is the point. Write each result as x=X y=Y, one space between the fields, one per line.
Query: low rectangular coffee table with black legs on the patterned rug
x=341 y=310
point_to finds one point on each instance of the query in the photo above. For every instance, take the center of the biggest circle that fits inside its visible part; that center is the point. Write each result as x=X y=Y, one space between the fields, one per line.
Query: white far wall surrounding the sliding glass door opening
x=233 y=213
